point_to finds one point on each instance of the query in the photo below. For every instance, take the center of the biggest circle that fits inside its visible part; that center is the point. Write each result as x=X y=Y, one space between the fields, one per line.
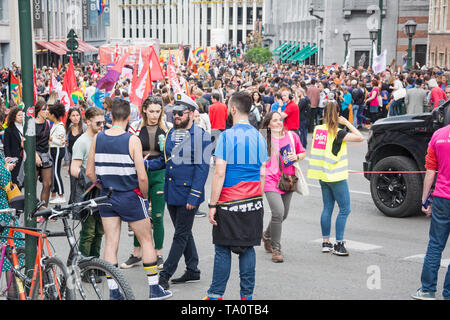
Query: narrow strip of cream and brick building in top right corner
x=439 y=34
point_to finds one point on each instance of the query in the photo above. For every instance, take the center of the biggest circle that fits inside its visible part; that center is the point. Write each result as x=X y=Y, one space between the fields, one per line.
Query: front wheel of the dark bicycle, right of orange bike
x=94 y=285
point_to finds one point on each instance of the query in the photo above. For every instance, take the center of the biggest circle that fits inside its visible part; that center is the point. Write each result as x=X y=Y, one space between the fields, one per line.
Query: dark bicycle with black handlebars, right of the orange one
x=87 y=273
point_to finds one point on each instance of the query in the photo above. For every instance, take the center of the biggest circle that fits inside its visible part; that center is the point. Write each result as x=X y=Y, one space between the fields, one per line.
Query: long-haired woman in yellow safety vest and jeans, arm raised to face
x=329 y=165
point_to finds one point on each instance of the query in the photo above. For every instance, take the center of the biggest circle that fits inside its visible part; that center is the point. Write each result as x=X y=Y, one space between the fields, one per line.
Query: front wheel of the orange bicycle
x=56 y=284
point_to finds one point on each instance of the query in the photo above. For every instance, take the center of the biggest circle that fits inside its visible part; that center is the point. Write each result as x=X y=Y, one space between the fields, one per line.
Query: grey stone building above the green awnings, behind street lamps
x=322 y=23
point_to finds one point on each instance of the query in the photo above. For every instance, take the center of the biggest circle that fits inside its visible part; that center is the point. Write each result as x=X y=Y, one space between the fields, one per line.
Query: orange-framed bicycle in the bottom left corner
x=50 y=278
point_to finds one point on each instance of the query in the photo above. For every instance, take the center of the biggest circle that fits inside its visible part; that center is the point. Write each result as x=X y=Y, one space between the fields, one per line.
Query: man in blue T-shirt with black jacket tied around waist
x=236 y=203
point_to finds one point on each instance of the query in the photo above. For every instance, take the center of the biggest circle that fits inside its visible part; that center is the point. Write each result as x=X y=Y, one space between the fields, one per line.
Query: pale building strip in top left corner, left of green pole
x=9 y=33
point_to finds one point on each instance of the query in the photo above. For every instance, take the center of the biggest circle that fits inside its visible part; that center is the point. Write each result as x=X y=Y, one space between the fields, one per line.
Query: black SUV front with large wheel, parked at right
x=400 y=144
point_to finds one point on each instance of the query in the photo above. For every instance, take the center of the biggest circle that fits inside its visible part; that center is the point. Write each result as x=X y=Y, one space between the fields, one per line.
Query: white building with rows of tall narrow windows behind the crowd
x=197 y=23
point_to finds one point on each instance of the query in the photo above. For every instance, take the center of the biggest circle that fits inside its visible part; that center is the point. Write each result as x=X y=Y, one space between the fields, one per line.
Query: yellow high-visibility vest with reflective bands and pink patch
x=323 y=164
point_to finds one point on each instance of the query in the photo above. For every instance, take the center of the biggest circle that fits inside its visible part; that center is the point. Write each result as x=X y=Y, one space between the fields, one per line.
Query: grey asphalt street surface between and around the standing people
x=385 y=259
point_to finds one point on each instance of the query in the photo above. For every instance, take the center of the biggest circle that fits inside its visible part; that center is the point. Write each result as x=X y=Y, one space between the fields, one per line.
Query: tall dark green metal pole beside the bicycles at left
x=26 y=54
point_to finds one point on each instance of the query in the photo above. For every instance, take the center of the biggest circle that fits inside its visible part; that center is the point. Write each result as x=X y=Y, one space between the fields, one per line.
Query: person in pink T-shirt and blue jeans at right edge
x=437 y=159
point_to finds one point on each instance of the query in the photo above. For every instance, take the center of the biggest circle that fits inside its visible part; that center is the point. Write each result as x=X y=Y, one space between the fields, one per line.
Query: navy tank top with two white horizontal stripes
x=113 y=163
